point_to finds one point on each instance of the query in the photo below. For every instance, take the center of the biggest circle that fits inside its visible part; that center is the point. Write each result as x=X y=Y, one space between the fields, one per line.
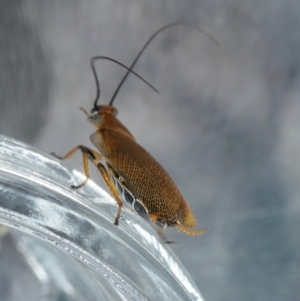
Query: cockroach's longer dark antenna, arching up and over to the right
x=145 y=46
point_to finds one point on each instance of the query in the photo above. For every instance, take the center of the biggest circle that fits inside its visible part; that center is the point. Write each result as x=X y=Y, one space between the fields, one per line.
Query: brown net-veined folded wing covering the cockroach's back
x=142 y=174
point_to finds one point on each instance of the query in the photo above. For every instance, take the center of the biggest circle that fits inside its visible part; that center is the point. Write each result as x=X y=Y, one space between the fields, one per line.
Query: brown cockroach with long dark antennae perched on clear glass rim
x=129 y=171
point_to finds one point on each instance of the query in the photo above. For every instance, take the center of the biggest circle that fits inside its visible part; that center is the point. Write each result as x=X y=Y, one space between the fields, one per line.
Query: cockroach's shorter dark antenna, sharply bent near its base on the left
x=92 y=62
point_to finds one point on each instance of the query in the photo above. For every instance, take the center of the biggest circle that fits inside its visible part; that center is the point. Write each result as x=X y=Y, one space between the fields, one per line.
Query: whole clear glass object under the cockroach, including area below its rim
x=60 y=244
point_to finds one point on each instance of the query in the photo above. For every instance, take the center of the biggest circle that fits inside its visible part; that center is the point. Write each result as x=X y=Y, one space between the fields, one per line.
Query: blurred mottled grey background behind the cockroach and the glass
x=226 y=125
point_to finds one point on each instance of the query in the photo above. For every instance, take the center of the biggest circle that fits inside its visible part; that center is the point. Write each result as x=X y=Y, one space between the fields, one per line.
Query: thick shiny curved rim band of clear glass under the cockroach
x=36 y=198
